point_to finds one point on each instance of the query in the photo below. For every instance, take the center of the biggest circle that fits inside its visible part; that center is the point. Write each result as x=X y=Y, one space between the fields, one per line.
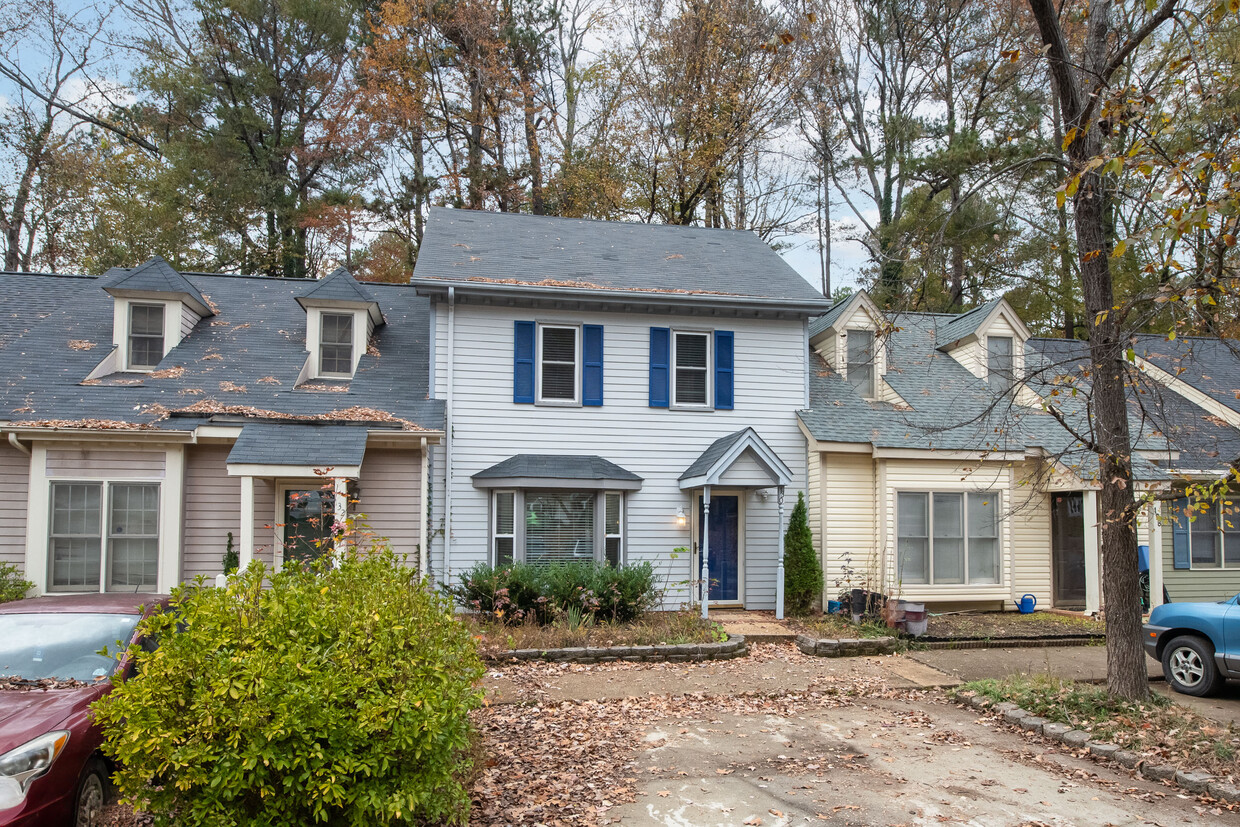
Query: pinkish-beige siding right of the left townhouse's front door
x=390 y=499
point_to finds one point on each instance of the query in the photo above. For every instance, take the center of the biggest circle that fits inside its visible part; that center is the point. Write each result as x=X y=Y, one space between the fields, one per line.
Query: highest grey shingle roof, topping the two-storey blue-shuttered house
x=511 y=249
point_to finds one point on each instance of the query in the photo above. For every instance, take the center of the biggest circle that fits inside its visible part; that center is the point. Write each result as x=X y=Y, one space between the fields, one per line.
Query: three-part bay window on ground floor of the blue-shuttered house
x=542 y=526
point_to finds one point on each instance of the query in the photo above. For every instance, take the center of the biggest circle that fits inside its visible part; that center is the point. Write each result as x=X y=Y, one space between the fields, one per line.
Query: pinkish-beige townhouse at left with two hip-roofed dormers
x=148 y=418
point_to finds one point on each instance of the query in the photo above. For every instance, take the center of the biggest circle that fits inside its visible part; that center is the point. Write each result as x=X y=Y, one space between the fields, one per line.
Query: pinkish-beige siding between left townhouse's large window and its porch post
x=213 y=509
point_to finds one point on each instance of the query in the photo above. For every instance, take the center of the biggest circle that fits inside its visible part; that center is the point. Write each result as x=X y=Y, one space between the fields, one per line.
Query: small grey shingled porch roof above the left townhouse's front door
x=299 y=444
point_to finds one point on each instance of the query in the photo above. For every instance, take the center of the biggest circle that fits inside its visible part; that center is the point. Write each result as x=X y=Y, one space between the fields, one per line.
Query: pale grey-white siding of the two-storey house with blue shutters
x=657 y=444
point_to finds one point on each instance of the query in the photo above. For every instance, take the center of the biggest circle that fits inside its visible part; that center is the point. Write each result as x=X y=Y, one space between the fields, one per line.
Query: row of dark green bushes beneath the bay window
x=520 y=592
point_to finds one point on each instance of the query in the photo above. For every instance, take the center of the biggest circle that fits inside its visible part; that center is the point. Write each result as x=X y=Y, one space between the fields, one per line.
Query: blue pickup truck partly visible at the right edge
x=1198 y=644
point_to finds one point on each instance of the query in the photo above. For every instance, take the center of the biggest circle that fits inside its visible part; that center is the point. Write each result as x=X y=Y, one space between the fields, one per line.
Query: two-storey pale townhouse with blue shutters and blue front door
x=617 y=392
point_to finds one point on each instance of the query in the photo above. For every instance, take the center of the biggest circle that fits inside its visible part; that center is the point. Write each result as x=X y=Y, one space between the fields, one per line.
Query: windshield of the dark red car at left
x=64 y=647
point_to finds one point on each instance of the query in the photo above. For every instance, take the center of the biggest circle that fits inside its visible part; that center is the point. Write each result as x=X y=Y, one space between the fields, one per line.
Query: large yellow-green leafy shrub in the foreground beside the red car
x=333 y=696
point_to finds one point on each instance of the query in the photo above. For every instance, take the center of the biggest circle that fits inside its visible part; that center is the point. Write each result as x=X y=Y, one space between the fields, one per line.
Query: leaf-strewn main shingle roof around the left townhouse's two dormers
x=242 y=363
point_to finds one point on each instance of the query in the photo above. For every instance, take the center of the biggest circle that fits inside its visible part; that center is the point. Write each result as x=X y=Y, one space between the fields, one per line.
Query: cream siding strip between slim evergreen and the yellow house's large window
x=849 y=525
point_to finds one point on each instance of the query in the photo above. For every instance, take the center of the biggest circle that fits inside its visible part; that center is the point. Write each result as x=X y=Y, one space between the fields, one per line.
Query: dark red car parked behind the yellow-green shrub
x=51 y=771
